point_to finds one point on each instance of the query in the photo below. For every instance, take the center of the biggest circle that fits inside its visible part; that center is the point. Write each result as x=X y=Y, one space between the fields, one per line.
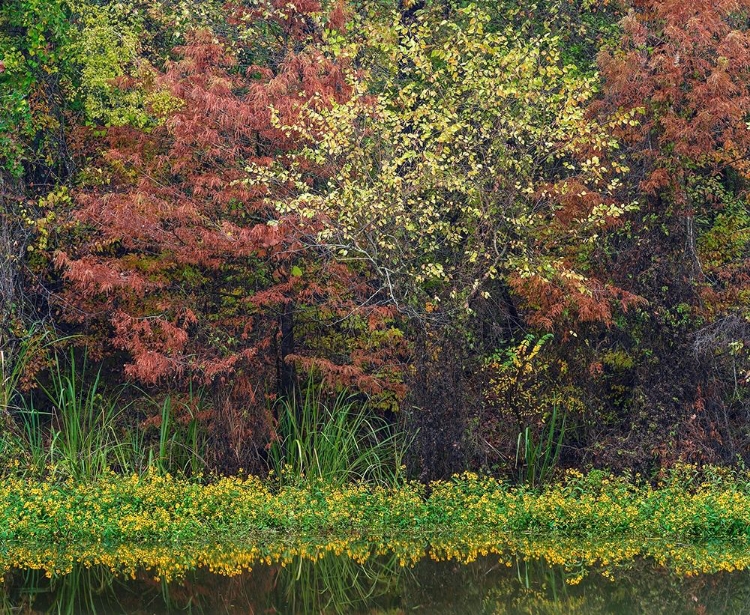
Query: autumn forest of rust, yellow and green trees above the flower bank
x=373 y=238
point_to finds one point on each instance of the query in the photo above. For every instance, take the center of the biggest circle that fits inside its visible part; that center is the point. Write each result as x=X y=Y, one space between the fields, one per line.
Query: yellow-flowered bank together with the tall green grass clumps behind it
x=336 y=479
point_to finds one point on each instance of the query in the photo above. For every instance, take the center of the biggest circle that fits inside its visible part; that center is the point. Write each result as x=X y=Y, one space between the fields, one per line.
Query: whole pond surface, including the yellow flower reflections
x=327 y=580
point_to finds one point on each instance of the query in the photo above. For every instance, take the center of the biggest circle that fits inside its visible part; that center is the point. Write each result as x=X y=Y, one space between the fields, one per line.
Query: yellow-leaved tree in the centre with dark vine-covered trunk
x=465 y=174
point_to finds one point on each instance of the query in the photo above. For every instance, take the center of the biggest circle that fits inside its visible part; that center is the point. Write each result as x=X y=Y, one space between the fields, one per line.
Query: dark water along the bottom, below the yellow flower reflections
x=381 y=585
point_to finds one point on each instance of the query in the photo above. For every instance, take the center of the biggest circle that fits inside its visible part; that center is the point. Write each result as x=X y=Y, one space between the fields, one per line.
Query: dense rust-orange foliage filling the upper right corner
x=687 y=65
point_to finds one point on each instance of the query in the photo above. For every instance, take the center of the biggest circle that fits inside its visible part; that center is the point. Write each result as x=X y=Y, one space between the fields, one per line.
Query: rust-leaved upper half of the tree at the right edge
x=685 y=68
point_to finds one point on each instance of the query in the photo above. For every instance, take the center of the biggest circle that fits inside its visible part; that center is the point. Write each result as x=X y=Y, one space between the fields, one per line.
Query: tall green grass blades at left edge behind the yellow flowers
x=70 y=425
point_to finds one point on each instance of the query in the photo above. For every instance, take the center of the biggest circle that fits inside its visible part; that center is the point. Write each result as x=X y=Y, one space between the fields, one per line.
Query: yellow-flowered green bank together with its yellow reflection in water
x=169 y=525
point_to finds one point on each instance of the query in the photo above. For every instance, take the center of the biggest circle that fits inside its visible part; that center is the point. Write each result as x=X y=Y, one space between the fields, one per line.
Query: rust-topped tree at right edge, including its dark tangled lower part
x=684 y=68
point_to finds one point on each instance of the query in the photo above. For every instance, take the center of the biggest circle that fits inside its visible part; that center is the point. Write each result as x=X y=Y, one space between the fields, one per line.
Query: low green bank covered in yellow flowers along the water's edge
x=468 y=513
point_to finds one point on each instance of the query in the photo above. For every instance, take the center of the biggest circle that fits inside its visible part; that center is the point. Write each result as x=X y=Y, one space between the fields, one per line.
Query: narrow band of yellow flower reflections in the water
x=577 y=557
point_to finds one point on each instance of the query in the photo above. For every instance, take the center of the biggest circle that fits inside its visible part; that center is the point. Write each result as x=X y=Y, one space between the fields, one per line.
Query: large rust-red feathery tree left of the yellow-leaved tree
x=197 y=278
